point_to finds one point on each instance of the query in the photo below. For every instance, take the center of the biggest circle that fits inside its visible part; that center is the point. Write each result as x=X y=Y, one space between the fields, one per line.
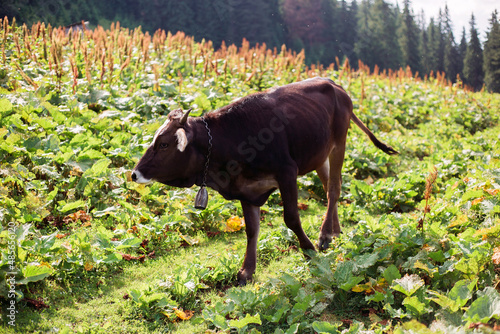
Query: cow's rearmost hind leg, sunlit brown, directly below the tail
x=331 y=227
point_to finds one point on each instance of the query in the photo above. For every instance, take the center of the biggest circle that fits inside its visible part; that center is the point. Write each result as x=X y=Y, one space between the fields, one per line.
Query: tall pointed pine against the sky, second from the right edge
x=473 y=63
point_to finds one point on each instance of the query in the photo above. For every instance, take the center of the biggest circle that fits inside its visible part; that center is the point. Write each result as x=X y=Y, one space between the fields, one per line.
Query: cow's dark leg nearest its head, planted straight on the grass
x=252 y=225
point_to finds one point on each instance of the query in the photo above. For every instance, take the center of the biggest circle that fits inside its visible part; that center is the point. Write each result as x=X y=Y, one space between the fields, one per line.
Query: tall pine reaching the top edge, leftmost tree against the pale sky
x=408 y=40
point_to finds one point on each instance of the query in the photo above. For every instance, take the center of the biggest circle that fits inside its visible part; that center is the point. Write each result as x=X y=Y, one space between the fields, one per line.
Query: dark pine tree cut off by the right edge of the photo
x=492 y=56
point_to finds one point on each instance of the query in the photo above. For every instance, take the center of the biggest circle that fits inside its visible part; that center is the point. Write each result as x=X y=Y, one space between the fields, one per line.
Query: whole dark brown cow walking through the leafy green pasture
x=256 y=145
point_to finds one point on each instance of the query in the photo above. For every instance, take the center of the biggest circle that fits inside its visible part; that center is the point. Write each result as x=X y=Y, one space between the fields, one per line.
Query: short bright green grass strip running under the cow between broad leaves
x=98 y=302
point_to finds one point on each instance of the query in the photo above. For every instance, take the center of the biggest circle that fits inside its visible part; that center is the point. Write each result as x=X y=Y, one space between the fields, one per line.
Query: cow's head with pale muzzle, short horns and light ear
x=170 y=159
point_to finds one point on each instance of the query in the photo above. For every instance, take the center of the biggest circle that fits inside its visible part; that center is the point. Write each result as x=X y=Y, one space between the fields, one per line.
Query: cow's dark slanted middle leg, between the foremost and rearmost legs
x=289 y=194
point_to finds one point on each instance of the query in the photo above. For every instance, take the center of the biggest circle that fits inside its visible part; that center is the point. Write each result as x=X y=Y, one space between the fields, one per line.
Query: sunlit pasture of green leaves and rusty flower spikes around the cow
x=85 y=250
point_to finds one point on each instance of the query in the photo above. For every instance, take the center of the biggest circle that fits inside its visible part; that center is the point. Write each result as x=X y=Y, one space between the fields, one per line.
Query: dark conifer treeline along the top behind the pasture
x=372 y=31
